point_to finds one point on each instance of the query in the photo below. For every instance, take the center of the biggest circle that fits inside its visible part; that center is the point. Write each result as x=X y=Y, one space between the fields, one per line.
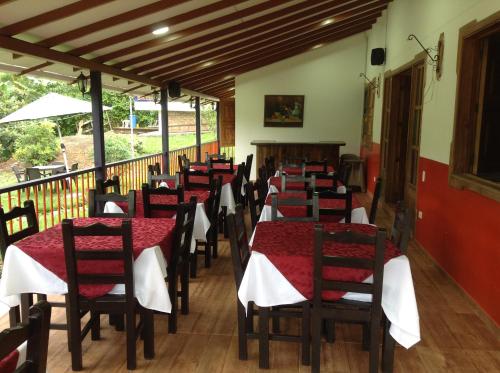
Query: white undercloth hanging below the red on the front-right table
x=264 y=284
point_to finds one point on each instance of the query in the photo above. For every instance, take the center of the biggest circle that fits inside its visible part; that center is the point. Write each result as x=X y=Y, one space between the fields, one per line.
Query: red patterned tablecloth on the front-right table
x=290 y=246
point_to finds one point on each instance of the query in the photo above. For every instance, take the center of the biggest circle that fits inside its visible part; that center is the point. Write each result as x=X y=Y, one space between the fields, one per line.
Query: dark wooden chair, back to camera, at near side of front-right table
x=369 y=313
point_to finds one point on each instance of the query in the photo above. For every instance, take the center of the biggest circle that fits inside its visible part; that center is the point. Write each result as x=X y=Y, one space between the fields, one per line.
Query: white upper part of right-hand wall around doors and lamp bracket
x=427 y=19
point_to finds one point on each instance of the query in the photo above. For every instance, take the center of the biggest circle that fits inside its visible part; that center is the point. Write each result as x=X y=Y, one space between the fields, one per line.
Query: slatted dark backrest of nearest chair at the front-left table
x=75 y=255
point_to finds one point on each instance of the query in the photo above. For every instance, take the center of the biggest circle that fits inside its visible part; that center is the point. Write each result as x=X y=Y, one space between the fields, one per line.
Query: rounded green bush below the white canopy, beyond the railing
x=37 y=144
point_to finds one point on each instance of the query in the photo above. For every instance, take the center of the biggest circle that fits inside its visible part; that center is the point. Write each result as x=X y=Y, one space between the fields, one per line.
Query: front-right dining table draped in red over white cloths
x=280 y=272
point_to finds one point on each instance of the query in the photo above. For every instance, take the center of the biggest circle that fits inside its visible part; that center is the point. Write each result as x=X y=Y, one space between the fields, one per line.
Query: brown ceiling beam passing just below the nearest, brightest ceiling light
x=221 y=33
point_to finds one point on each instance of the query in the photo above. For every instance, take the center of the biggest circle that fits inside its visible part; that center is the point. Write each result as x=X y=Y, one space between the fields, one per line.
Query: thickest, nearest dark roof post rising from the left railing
x=97 y=123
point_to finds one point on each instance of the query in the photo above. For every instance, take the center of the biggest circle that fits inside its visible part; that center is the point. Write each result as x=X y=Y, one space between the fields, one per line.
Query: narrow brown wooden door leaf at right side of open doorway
x=415 y=126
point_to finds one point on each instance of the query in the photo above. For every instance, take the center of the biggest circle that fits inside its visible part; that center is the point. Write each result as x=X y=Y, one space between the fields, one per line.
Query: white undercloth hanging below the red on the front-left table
x=22 y=274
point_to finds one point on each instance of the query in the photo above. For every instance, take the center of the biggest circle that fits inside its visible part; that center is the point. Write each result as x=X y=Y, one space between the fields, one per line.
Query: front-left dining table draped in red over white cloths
x=36 y=264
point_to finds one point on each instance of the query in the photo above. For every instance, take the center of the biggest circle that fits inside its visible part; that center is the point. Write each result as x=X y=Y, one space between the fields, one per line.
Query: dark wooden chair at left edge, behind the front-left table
x=6 y=239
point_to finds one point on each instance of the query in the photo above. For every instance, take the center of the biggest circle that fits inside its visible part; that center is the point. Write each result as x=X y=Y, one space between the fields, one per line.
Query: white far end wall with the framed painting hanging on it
x=333 y=104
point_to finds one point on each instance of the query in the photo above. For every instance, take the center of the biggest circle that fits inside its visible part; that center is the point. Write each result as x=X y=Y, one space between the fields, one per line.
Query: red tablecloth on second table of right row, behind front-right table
x=299 y=211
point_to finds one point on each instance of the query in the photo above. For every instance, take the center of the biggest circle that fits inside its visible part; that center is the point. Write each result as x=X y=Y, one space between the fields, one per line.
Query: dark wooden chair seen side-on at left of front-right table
x=240 y=255
